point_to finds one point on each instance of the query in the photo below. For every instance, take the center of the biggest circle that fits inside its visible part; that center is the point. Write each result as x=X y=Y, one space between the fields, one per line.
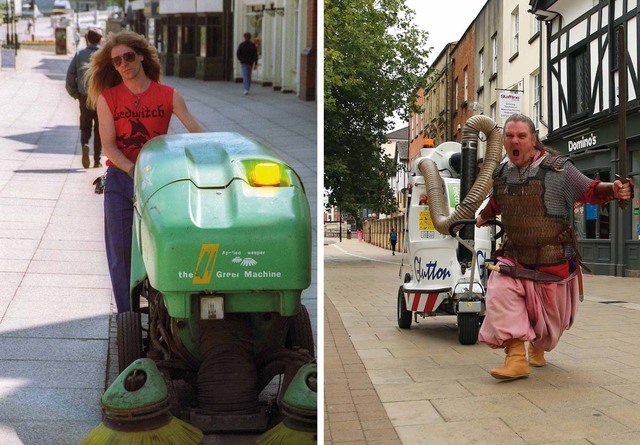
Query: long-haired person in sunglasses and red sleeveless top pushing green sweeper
x=133 y=107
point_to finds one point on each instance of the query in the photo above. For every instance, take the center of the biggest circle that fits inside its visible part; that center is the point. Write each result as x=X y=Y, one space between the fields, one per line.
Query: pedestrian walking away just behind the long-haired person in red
x=77 y=85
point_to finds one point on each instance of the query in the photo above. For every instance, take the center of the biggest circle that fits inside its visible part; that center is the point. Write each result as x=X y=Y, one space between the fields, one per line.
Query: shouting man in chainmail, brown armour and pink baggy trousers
x=534 y=192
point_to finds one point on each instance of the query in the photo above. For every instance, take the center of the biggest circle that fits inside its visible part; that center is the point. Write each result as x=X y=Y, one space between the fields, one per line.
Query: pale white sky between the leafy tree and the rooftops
x=446 y=21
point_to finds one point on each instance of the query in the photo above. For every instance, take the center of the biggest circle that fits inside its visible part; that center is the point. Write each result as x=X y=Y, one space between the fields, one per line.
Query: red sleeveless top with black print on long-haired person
x=139 y=118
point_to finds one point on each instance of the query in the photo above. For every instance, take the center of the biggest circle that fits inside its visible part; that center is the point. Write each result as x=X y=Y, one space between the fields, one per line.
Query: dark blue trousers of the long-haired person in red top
x=118 y=225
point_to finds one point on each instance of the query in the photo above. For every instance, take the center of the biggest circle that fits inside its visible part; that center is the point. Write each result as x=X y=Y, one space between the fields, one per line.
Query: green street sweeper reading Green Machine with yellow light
x=221 y=254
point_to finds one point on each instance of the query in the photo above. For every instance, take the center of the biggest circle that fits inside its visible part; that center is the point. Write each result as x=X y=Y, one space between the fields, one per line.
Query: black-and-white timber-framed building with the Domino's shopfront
x=584 y=62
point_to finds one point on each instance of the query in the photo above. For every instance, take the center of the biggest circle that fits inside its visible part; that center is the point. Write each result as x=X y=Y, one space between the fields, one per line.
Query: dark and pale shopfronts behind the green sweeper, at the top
x=198 y=38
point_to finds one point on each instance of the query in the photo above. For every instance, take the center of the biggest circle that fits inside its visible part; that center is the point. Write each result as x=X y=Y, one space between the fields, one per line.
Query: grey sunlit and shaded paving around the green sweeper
x=55 y=297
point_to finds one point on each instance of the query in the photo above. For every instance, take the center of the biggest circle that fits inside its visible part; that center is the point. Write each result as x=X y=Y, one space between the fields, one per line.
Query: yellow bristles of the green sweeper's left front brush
x=176 y=432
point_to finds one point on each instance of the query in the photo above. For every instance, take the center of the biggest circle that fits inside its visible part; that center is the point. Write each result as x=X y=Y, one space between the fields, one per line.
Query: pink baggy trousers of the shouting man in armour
x=528 y=310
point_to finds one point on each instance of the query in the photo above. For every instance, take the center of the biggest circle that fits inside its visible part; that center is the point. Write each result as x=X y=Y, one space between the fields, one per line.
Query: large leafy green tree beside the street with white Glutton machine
x=375 y=59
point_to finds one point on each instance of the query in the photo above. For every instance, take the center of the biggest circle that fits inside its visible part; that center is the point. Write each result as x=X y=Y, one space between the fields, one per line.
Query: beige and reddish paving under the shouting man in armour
x=433 y=390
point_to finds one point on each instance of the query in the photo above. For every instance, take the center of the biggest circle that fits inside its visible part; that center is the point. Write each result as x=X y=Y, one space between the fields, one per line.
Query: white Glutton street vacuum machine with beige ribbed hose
x=446 y=252
